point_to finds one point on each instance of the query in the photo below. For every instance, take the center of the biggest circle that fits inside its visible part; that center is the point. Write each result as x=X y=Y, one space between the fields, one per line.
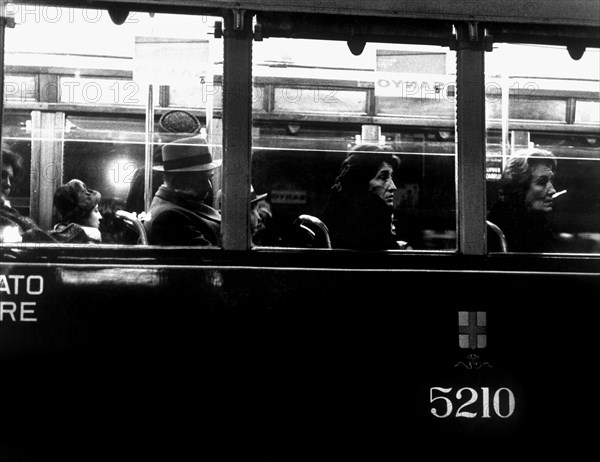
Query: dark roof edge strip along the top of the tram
x=554 y=12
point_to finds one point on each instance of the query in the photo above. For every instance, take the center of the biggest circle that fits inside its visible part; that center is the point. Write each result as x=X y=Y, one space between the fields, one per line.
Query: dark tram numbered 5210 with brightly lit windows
x=284 y=349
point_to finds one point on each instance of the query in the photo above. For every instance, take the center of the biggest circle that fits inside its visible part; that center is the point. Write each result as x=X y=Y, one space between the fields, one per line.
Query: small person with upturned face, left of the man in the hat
x=79 y=216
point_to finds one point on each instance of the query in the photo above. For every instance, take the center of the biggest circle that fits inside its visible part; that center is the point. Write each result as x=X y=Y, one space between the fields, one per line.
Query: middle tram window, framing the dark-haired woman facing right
x=323 y=102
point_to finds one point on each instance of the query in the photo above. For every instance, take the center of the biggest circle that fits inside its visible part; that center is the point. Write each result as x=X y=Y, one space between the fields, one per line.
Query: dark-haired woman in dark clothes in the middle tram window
x=359 y=213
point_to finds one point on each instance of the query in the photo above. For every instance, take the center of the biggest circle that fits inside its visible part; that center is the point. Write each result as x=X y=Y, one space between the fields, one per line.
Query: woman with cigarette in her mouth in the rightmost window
x=525 y=204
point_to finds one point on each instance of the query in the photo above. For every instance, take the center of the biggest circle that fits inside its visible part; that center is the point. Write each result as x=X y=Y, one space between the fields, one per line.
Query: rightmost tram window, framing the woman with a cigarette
x=540 y=101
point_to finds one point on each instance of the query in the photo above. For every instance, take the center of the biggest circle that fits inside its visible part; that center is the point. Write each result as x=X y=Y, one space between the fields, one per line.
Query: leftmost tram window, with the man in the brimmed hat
x=95 y=108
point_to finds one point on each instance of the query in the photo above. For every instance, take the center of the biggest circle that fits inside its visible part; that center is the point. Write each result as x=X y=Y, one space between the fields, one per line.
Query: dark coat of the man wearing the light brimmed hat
x=174 y=220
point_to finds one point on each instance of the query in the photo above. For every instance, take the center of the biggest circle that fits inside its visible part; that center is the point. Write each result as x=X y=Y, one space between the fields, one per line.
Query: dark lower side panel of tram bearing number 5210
x=289 y=361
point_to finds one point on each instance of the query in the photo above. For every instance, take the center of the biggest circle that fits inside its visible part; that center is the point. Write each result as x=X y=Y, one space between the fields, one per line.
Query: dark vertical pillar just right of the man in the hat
x=237 y=130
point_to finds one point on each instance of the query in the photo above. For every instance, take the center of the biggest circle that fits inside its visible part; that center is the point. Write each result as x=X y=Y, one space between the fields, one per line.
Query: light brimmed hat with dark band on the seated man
x=187 y=155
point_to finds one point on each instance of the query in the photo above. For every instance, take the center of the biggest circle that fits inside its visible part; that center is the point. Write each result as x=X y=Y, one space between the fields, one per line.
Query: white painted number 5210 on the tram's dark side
x=469 y=403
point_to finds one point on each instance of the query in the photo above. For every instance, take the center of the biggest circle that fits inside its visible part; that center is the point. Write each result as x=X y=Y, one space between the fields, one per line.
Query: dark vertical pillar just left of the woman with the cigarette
x=471 y=139
